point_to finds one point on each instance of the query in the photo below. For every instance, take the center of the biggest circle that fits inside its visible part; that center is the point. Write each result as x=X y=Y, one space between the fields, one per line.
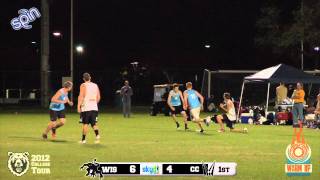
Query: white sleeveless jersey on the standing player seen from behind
x=90 y=99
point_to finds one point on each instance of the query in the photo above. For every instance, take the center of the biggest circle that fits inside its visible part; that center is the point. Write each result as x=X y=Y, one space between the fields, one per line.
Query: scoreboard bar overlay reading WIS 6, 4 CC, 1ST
x=165 y=168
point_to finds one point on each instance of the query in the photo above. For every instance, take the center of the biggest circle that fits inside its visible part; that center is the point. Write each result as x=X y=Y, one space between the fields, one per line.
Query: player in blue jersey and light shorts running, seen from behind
x=192 y=98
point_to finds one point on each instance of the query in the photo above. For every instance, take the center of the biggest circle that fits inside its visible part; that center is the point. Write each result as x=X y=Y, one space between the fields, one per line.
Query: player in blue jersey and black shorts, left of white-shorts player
x=176 y=102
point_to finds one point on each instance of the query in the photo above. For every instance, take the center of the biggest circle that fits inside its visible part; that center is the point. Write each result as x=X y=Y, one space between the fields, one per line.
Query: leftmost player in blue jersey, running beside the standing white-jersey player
x=57 y=110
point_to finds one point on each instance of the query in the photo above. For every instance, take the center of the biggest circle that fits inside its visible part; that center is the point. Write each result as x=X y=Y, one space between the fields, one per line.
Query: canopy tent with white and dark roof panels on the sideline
x=276 y=74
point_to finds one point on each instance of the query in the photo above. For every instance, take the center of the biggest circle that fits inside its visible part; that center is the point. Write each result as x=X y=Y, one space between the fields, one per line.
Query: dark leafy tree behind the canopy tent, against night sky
x=288 y=36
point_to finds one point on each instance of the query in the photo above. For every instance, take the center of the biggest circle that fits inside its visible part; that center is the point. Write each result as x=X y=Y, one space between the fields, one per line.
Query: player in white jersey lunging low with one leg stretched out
x=229 y=116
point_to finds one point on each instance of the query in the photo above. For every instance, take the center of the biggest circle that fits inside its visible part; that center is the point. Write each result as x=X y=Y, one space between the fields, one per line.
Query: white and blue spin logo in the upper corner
x=25 y=17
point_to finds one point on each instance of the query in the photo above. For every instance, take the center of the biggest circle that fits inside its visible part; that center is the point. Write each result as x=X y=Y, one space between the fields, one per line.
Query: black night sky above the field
x=160 y=34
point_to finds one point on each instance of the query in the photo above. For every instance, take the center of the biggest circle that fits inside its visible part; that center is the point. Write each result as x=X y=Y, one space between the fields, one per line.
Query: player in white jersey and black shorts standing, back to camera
x=88 y=100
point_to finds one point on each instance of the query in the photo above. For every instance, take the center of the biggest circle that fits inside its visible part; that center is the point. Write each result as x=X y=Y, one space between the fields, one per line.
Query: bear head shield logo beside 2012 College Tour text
x=18 y=163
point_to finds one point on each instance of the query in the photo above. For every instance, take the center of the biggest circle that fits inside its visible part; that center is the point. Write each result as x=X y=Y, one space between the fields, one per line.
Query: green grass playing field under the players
x=260 y=154
